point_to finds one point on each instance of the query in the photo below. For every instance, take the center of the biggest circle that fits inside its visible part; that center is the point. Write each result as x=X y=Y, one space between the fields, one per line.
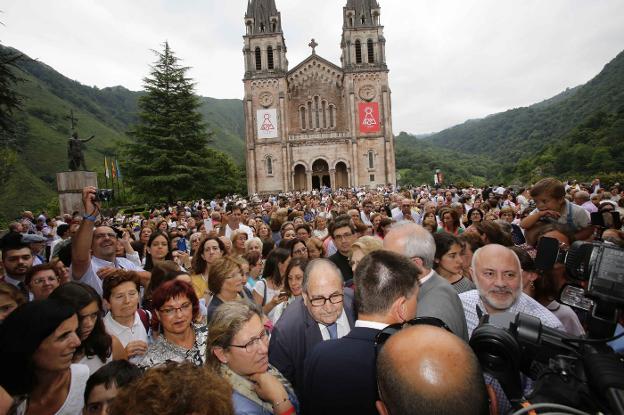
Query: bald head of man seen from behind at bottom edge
x=427 y=370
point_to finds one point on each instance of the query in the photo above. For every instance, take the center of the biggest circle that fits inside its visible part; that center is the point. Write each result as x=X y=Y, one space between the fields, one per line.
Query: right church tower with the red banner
x=363 y=60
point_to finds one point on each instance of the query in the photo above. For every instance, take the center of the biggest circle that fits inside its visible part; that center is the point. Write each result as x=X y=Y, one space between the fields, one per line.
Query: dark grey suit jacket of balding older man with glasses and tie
x=294 y=336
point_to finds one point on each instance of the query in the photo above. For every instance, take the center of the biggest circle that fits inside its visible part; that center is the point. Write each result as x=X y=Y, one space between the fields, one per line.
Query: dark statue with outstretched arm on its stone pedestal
x=70 y=183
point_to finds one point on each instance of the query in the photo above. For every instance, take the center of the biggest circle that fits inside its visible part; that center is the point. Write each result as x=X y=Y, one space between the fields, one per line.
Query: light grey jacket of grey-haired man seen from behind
x=438 y=298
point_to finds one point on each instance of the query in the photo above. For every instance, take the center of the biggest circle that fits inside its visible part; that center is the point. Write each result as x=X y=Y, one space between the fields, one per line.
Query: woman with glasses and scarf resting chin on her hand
x=238 y=349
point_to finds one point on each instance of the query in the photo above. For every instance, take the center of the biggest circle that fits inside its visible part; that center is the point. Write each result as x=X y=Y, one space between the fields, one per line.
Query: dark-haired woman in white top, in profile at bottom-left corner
x=36 y=359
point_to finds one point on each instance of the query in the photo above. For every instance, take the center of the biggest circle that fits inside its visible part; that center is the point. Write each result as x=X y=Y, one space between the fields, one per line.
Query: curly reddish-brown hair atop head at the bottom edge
x=176 y=388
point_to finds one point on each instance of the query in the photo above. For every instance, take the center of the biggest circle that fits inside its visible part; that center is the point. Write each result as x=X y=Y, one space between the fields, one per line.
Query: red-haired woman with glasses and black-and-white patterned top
x=176 y=307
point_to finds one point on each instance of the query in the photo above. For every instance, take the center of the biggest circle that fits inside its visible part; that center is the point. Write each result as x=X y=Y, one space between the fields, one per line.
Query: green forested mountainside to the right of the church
x=579 y=133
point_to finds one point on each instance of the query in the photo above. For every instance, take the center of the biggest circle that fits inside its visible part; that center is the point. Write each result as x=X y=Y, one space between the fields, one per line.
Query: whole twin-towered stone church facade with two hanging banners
x=317 y=124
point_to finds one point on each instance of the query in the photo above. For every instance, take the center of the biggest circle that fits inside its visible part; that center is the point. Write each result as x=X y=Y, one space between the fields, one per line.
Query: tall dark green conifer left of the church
x=169 y=158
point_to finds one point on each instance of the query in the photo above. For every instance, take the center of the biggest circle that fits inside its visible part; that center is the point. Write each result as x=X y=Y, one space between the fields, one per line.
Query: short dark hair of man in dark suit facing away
x=382 y=277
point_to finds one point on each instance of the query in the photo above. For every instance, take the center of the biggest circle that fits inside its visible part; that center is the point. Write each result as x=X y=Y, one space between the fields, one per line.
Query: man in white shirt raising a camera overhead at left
x=94 y=248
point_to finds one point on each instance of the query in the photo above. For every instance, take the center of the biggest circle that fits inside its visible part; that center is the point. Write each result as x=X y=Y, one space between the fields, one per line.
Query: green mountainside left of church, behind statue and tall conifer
x=39 y=151
